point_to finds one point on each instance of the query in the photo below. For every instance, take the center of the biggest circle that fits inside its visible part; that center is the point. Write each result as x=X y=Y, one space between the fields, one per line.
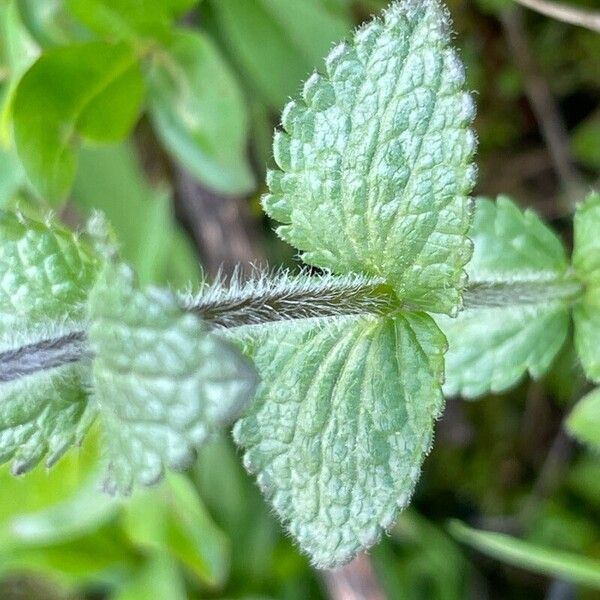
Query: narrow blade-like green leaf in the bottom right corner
x=549 y=561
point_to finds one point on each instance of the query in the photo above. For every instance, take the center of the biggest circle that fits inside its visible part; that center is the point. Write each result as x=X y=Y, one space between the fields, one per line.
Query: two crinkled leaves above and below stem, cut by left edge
x=45 y=273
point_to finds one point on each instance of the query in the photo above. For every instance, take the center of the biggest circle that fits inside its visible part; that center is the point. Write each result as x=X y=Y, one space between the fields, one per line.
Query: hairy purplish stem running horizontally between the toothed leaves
x=281 y=296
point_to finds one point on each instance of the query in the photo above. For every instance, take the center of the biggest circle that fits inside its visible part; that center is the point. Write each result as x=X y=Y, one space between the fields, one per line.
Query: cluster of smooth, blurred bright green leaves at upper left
x=94 y=90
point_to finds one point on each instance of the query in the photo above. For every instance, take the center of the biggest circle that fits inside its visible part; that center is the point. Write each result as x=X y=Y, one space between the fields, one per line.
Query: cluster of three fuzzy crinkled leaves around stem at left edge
x=161 y=381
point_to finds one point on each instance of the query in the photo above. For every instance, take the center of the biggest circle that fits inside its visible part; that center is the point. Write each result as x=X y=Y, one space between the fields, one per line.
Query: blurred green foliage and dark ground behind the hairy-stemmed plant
x=160 y=114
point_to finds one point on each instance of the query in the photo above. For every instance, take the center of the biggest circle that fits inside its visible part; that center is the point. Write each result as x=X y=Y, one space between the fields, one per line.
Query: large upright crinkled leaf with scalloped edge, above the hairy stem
x=376 y=160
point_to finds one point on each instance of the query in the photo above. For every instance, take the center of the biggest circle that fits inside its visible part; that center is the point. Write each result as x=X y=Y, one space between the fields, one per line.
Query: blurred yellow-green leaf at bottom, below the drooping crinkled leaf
x=173 y=518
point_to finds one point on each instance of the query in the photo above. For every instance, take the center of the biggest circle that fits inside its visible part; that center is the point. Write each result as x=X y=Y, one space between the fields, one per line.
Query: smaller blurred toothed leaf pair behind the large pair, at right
x=491 y=349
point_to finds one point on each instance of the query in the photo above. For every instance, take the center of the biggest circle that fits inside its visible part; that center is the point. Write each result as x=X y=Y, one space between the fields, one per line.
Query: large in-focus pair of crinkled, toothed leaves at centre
x=375 y=172
